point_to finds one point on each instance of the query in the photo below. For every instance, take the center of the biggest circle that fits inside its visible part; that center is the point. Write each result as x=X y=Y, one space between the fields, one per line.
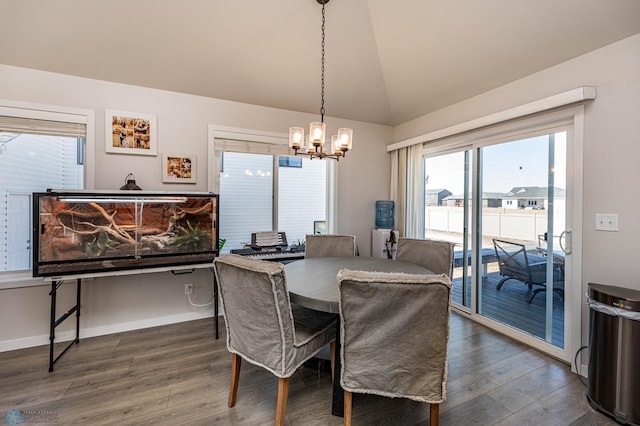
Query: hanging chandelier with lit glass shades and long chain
x=313 y=146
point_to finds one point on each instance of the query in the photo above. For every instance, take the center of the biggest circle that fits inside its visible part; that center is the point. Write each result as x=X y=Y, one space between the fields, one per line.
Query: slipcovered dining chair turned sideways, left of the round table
x=263 y=327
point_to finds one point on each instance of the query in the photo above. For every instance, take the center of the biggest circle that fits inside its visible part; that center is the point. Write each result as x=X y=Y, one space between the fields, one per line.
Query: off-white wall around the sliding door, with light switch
x=611 y=149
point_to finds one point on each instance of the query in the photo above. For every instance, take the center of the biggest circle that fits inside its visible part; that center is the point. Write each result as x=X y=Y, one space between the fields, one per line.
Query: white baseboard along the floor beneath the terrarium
x=67 y=336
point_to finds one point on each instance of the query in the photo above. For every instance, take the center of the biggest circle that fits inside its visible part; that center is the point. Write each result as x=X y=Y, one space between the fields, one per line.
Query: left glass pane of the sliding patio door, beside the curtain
x=447 y=213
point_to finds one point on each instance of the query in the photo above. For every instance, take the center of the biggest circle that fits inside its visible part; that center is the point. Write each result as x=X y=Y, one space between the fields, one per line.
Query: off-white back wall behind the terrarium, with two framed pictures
x=114 y=304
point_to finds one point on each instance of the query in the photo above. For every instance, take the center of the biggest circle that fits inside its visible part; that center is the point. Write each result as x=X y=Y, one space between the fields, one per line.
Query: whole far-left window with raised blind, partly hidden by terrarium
x=35 y=155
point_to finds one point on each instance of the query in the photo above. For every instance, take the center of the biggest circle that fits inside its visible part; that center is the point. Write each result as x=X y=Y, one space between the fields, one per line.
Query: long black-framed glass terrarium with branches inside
x=84 y=232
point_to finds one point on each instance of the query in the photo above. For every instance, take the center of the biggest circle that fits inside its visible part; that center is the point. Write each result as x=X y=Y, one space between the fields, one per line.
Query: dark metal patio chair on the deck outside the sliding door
x=516 y=263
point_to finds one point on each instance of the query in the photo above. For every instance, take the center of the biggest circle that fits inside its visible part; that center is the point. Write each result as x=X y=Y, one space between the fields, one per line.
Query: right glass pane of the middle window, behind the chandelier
x=302 y=197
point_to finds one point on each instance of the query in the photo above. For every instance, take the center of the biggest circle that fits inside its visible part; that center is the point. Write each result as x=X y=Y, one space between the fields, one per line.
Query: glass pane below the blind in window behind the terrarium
x=31 y=163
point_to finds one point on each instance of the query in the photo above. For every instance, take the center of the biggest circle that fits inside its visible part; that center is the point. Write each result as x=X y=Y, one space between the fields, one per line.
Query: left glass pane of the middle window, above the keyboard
x=246 y=197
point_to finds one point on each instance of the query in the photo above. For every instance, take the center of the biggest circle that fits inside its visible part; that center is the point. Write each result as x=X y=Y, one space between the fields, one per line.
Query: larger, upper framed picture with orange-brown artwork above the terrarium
x=130 y=133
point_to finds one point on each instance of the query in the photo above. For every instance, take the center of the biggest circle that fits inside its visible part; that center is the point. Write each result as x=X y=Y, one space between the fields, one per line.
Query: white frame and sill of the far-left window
x=24 y=278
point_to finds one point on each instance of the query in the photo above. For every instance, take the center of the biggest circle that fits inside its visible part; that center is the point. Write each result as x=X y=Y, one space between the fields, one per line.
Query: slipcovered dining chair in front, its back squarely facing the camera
x=402 y=353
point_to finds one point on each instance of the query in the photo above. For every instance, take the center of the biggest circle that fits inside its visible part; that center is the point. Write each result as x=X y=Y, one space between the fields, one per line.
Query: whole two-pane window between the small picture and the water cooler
x=262 y=188
